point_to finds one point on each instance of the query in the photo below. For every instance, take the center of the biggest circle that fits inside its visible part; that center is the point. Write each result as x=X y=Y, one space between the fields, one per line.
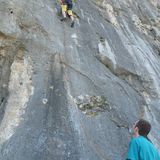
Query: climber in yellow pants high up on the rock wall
x=66 y=6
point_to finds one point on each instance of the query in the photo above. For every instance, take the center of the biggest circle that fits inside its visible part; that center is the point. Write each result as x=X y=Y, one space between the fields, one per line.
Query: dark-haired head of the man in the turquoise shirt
x=141 y=128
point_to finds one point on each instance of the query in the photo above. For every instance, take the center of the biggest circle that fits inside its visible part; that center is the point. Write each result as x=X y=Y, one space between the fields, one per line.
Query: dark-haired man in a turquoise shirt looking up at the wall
x=141 y=148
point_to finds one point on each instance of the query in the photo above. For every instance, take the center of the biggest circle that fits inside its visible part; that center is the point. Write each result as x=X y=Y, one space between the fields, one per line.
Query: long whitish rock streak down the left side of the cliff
x=20 y=89
